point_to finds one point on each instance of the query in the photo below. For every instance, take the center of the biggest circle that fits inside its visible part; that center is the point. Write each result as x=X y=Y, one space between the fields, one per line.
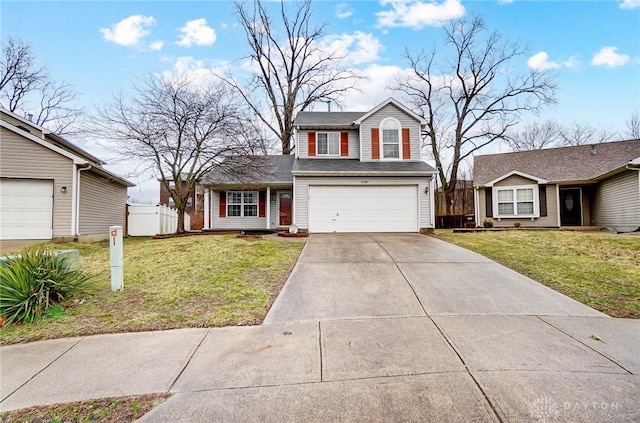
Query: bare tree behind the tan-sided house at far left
x=28 y=89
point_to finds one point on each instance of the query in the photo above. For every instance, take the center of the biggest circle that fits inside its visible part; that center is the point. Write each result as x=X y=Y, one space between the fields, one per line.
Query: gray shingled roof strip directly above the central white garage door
x=347 y=167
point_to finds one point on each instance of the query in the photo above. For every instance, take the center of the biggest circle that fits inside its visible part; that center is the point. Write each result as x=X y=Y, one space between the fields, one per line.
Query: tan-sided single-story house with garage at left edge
x=51 y=189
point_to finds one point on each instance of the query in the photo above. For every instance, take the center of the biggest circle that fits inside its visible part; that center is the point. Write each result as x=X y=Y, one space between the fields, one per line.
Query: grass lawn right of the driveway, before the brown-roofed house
x=601 y=270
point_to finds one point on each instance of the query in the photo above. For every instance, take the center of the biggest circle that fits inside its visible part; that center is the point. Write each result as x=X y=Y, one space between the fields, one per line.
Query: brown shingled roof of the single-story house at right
x=563 y=164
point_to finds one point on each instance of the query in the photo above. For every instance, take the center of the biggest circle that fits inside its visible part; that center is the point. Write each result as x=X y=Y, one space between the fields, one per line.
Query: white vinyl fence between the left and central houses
x=146 y=220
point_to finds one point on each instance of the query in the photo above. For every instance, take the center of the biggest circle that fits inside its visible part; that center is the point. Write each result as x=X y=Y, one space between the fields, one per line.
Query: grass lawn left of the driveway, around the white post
x=197 y=281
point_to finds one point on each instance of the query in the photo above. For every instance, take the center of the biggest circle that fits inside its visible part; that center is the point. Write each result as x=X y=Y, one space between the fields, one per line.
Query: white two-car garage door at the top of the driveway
x=363 y=209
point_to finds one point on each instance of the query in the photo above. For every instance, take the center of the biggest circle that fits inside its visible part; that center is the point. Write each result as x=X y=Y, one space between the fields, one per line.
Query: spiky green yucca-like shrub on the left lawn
x=33 y=281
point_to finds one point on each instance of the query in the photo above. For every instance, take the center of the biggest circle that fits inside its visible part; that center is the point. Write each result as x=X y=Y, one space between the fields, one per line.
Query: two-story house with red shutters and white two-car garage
x=352 y=172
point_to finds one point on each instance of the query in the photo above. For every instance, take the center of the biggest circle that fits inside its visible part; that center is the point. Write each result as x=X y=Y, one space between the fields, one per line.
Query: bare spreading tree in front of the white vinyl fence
x=181 y=131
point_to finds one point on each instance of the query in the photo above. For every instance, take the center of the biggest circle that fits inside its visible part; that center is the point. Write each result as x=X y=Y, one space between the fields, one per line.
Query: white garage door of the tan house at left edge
x=26 y=209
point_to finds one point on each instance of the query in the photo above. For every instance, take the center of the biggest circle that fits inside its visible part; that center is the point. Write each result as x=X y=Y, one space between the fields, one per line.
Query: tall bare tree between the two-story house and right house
x=471 y=98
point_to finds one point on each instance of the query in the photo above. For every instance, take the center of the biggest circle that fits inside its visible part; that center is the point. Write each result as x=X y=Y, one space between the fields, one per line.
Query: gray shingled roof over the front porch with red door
x=265 y=170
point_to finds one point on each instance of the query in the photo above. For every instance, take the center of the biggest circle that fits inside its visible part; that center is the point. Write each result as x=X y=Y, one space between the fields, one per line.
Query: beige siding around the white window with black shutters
x=548 y=221
